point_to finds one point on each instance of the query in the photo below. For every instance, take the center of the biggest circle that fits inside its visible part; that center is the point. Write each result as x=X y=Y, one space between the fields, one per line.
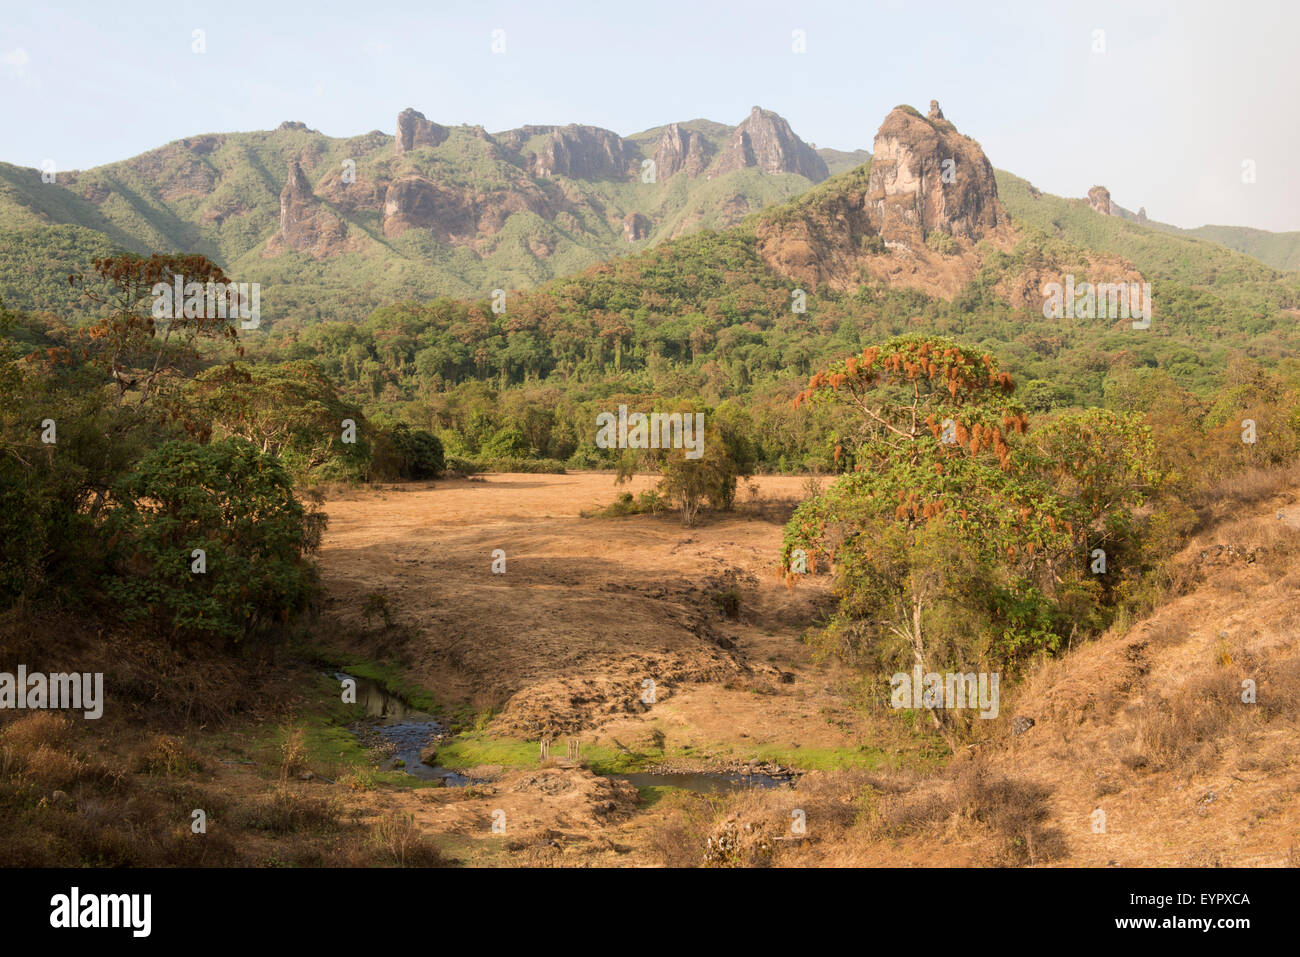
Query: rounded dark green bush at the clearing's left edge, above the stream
x=237 y=505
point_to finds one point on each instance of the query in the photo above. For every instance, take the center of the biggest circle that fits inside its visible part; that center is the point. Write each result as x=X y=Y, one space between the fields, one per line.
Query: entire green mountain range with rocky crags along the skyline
x=335 y=228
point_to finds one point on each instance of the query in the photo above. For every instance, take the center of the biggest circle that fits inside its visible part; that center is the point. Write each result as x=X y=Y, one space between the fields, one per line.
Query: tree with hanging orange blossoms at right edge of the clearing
x=951 y=543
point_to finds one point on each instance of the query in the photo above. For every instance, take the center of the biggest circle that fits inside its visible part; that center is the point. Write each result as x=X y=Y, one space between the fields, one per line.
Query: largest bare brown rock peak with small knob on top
x=926 y=177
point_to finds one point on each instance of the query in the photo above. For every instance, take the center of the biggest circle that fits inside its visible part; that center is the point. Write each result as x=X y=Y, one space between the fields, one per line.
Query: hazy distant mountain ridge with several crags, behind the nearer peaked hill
x=432 y=210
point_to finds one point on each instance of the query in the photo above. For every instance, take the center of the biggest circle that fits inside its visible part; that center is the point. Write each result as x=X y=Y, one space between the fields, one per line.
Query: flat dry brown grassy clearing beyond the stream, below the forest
x=588 y=610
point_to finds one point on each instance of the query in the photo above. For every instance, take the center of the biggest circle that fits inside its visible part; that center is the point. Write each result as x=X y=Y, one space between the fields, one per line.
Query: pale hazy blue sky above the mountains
x=1165 y=115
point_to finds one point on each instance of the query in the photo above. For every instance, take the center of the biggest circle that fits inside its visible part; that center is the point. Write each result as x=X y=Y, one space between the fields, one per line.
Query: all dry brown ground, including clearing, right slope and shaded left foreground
x=1147 y=724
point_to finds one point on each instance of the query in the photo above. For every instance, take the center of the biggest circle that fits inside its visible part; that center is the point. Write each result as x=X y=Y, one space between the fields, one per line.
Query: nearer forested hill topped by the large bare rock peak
x=929 y=239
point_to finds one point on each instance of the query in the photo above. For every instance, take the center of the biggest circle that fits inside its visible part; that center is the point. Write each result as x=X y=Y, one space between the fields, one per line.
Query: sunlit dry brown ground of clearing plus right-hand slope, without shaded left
x=1138 y=724
